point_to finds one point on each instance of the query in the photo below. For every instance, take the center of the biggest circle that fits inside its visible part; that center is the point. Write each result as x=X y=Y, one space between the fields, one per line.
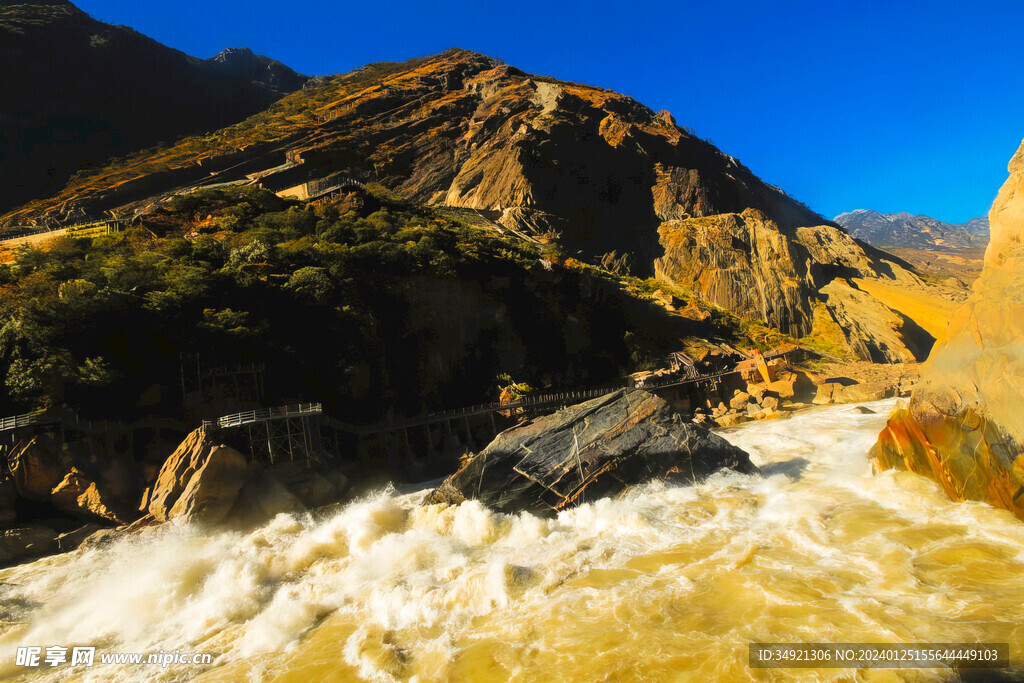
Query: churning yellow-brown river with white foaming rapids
x=665 y=584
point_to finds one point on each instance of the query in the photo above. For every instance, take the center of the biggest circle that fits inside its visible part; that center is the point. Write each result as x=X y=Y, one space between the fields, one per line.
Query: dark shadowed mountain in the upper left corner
x=76 y=92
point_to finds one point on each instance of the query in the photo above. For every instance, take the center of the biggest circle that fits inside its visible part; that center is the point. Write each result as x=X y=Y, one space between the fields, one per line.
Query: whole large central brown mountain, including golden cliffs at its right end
x=602 y=175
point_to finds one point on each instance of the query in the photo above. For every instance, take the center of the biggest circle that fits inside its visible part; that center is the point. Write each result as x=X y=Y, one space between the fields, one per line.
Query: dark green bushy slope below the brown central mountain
x=379 y=305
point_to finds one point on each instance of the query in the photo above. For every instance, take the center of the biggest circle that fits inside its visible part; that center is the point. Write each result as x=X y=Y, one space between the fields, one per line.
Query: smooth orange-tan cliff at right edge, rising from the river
x=965 y=424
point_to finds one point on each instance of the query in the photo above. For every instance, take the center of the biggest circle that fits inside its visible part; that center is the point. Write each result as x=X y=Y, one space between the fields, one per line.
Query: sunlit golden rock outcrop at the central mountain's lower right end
x=753 y=267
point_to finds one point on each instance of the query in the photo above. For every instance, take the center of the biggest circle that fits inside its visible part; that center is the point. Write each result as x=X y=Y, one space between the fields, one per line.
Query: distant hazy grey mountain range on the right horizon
x=910 y=232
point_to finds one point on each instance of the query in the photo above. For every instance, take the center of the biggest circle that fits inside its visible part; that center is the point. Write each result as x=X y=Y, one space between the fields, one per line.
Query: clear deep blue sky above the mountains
x=891 y=106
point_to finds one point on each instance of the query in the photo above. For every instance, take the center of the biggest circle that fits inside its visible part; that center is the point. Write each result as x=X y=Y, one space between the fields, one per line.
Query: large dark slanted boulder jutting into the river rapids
x=587 y=452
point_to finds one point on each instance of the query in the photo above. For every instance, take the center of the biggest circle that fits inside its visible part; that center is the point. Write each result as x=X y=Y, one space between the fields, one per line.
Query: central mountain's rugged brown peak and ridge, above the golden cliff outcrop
x=463 y=130
